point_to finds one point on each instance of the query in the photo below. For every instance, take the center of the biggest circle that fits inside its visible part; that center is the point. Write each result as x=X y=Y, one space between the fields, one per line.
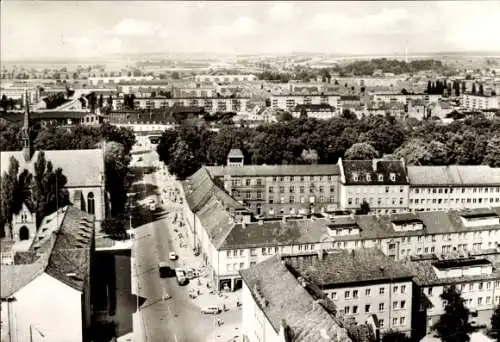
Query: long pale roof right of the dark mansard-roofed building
x=454 y=175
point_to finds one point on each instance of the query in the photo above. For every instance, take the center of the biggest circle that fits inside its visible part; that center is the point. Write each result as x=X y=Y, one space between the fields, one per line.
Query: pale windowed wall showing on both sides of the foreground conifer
x=481 y=298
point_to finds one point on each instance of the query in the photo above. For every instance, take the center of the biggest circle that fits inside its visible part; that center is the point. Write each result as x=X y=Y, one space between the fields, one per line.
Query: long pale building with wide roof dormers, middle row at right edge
x=409 y=234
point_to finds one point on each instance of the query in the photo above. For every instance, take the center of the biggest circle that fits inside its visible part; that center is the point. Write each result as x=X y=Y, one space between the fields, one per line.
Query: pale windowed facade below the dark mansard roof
x=383 y=199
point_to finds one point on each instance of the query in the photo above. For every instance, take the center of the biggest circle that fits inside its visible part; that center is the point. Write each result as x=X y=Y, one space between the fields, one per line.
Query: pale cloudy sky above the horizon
x=67 y=29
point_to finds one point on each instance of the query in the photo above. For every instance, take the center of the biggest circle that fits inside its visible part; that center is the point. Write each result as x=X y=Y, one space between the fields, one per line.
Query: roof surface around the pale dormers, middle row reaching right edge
x=435 y=222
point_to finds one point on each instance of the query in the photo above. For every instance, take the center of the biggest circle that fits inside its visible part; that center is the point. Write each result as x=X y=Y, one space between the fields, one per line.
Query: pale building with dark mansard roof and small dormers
x=383 y=184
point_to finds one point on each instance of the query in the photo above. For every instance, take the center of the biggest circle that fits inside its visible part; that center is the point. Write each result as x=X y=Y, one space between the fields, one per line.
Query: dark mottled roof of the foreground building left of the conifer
x=339 y=268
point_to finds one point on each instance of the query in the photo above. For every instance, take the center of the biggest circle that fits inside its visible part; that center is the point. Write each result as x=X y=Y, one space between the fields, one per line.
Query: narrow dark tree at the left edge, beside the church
x=8 y=195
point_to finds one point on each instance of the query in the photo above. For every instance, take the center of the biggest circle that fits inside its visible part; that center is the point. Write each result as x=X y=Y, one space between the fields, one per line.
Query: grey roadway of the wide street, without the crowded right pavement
x=175 y=317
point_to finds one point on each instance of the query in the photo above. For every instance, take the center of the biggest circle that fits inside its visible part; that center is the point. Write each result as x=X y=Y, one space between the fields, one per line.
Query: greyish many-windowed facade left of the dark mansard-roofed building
x=285 y=195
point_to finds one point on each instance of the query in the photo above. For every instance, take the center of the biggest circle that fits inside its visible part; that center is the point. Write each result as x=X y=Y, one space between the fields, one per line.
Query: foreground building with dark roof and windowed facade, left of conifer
x=361 y=283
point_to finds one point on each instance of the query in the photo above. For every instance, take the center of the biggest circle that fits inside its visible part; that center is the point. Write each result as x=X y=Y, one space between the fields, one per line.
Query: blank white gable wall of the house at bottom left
x=50 y=307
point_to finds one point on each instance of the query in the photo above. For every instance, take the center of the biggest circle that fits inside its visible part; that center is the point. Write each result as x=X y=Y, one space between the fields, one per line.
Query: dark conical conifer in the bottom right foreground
x=453 y=325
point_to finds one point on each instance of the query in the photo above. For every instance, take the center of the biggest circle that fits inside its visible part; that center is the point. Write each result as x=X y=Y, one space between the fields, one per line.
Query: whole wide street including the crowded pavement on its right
x=166 y=310
